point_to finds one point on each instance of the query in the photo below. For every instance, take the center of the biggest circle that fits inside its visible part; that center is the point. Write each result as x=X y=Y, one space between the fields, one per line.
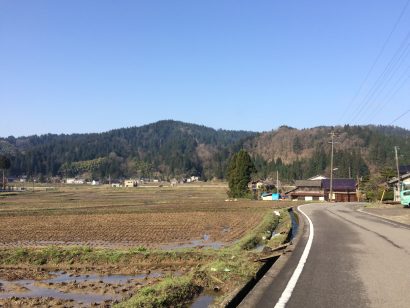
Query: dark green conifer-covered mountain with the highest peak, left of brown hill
x=165 y=148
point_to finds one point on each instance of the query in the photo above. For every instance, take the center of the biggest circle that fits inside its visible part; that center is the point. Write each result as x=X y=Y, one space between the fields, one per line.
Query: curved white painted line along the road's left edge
x=287 y=293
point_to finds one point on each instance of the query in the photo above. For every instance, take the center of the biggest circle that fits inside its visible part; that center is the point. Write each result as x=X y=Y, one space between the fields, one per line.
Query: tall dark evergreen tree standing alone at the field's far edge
x=240 y=170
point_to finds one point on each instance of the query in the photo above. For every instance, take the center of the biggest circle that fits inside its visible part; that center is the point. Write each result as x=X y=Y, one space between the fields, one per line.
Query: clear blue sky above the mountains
x=90 y=66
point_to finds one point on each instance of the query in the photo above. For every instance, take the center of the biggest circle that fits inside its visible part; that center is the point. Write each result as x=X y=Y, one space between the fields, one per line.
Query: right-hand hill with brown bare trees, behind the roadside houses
x=299 y=154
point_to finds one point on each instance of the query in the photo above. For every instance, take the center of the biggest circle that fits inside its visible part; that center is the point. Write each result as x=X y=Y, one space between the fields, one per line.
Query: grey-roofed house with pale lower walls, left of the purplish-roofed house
x=307 y=190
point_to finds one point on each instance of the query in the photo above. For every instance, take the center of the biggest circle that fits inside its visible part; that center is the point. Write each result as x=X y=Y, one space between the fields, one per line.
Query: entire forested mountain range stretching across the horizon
x=168 y=149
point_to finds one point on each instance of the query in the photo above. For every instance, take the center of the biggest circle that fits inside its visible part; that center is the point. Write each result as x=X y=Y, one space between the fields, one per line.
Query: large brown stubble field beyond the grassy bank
x=107 y=217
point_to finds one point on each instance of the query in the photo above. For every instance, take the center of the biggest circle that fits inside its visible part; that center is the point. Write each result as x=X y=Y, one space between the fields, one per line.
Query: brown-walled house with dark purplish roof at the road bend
x=343 y=190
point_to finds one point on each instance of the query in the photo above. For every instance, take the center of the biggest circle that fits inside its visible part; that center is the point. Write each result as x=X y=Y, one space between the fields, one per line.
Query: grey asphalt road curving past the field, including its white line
x=355 y=260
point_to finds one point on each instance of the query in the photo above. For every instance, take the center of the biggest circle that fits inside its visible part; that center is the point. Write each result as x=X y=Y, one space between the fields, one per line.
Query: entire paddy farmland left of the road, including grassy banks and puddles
x=64 y=246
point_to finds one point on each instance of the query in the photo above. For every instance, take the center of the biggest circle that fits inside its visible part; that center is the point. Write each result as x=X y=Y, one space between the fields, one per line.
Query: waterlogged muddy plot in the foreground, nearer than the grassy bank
x=69 y=288
